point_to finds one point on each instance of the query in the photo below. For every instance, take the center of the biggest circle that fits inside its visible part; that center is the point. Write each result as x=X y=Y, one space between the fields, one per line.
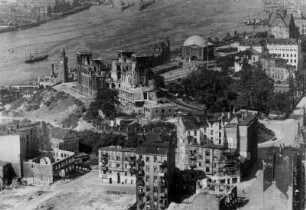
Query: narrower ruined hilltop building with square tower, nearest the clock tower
x=91 y=74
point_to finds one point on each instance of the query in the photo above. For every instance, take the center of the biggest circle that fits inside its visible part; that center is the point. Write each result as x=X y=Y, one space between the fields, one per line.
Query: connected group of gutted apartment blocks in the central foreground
x=209 y=157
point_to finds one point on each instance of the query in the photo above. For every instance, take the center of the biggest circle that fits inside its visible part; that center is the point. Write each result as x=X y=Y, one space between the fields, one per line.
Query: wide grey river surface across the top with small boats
x=104 y=30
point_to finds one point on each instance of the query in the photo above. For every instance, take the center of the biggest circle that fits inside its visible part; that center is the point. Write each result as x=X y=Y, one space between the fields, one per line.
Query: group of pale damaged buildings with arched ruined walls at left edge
x=36 y=153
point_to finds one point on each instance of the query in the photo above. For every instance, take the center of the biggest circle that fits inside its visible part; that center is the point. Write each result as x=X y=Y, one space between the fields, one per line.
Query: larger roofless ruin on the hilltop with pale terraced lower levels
x=132 y=76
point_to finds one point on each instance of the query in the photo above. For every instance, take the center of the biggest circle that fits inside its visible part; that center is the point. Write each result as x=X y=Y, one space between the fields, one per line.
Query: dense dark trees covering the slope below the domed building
x=221 y=92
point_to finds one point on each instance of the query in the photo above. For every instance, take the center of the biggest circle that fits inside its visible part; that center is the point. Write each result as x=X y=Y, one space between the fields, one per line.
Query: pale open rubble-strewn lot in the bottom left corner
x=85 y=192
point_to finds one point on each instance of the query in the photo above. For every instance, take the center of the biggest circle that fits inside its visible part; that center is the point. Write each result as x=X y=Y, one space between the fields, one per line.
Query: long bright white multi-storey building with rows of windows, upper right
x=288 y=49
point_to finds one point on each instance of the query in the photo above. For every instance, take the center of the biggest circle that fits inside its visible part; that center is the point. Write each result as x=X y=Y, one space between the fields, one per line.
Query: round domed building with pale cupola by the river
x=197 y=48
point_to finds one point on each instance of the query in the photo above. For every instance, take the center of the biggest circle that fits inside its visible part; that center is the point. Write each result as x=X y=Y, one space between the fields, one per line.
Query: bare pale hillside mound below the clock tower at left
x=55 y=107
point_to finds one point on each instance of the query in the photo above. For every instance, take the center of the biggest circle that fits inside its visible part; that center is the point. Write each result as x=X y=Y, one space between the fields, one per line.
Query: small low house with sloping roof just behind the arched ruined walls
x=64 y=139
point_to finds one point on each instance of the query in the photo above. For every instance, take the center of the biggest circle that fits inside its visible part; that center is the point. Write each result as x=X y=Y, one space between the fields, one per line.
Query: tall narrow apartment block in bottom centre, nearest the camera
x=154 y=175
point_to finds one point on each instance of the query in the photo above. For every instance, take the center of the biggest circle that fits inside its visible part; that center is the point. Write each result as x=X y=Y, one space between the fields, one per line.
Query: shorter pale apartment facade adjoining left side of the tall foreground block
x=117 y=165
